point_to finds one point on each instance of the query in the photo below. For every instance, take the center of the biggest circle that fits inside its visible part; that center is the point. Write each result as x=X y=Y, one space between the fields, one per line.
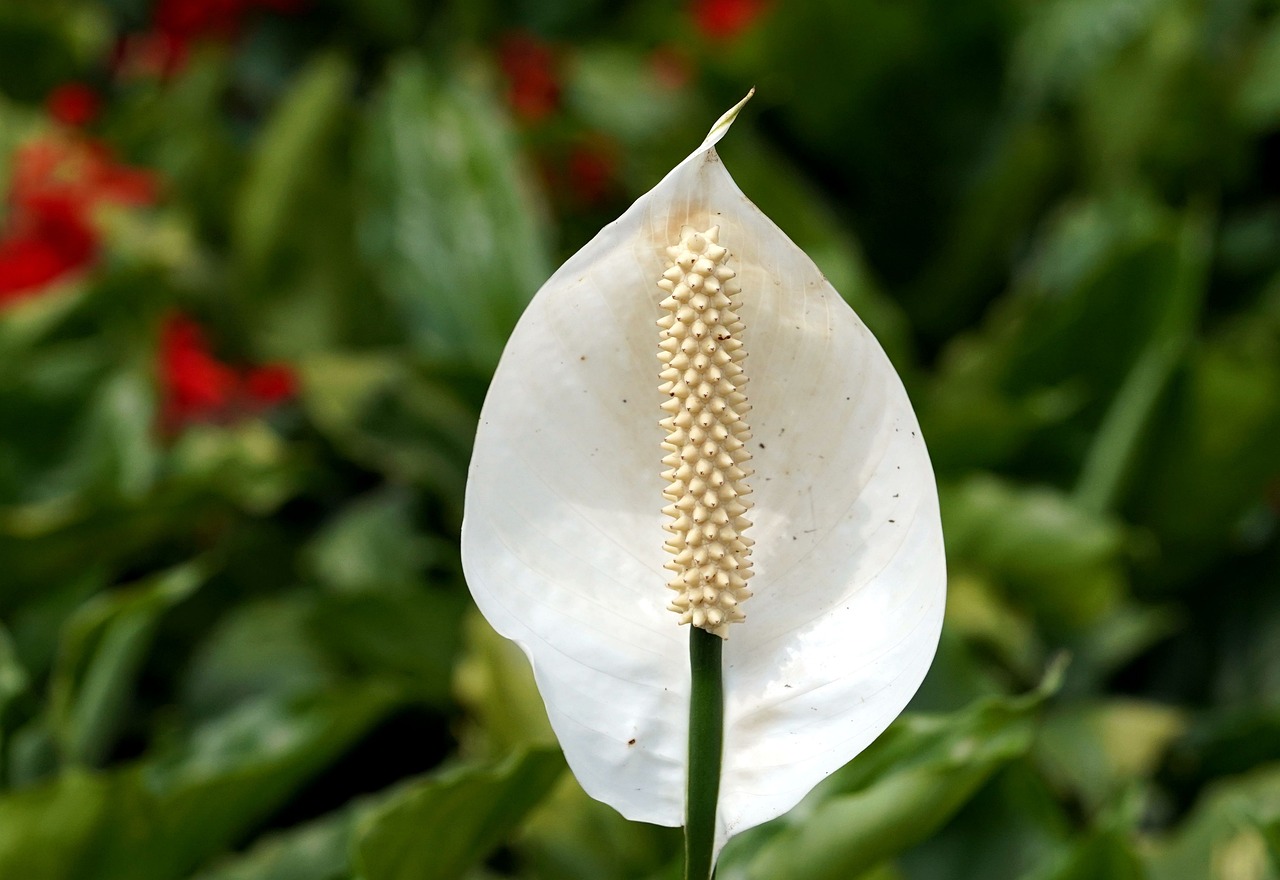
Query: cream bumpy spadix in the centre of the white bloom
x=702 y=352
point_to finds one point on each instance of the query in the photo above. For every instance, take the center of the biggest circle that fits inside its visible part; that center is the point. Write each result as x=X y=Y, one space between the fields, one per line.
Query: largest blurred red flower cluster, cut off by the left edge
x=57 y=186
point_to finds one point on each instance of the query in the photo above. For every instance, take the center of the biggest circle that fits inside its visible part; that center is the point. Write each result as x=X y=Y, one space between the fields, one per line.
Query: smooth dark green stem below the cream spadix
x=706 y=744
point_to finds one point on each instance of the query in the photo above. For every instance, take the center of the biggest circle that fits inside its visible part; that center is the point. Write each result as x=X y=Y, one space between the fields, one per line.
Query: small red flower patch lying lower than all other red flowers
x=198 y=387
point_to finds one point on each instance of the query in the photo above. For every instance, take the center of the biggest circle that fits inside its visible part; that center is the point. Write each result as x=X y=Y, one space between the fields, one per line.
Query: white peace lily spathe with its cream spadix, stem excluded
x=629 y=374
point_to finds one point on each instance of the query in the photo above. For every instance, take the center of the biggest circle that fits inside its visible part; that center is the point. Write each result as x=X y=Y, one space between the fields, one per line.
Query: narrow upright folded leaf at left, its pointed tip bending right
x=102 y=650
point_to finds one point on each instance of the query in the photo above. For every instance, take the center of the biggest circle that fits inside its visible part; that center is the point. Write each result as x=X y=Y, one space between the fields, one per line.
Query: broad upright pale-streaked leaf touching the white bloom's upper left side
x=449 y=227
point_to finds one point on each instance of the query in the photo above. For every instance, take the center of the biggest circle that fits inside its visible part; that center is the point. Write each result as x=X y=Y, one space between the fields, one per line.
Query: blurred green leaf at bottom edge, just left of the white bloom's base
x=441 y=827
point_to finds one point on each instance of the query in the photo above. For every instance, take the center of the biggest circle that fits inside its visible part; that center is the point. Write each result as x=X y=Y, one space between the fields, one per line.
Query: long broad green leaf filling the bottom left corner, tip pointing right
x=163 y=818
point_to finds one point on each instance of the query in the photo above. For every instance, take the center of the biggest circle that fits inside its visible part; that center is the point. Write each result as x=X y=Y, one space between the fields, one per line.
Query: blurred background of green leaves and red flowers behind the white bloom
x=258 y=262
